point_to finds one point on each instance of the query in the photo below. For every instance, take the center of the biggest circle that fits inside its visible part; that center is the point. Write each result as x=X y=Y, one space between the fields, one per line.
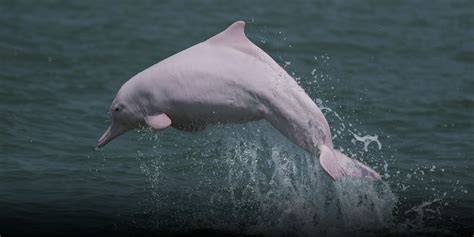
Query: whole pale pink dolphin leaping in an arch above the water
x=225 y=79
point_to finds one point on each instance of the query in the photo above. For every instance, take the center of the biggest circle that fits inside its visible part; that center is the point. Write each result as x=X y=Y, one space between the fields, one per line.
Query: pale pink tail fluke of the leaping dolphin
x=337 y=165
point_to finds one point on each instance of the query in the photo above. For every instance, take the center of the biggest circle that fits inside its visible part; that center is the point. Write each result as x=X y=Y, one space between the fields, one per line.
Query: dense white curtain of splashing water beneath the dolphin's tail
x=295 y=197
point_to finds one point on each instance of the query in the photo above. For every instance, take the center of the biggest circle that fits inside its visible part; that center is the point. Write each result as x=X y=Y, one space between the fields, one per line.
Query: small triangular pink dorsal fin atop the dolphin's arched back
x=234 y=35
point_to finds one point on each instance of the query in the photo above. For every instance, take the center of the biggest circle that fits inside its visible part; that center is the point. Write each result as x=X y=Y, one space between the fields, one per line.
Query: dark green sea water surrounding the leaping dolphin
x=402 y=71
